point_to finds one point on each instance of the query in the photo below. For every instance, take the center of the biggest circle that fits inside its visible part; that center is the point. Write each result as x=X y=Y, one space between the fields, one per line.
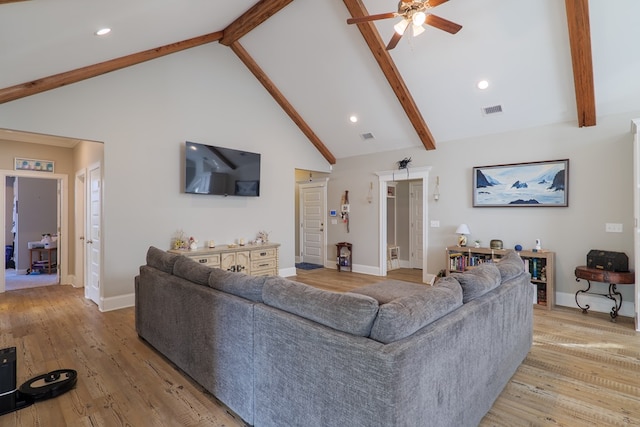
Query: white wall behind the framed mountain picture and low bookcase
x=600 y=191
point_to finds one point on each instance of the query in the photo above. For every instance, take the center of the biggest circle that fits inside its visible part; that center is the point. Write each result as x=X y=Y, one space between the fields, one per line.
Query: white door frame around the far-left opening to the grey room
x=63 y=218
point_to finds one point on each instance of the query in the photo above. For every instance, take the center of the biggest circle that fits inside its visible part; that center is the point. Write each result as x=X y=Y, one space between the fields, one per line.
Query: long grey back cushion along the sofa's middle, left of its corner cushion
x=349 y=313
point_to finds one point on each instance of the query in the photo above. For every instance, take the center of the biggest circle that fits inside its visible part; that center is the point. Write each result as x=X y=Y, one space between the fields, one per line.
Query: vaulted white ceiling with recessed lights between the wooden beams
x=326 y=71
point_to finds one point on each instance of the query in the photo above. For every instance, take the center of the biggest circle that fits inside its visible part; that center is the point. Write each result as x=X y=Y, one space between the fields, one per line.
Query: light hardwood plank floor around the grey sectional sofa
x=583 y=370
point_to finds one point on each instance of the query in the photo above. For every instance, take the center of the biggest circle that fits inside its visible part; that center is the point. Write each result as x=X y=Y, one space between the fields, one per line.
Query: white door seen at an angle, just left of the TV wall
x=93 y=245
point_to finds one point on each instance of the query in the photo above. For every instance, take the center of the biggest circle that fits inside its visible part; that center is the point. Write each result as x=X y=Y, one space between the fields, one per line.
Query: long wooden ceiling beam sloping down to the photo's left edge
x=58 y=80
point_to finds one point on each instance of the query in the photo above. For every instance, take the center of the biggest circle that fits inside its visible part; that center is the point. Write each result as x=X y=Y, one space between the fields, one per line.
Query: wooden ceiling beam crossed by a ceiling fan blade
x=378 y=49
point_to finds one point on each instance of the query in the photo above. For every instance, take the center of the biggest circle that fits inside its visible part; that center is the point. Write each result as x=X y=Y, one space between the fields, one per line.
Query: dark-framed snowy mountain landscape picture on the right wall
x=539 y=184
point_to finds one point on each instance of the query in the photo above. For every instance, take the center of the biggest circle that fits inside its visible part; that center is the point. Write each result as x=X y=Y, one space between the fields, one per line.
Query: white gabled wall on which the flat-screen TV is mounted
x=143 y=115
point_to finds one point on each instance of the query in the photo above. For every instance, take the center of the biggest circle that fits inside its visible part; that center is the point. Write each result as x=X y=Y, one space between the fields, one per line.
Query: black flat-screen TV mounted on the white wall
x=221 y=171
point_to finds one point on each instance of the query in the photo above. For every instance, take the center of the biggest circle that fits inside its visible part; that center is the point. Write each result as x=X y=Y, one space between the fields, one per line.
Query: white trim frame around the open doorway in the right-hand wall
x=421 y=177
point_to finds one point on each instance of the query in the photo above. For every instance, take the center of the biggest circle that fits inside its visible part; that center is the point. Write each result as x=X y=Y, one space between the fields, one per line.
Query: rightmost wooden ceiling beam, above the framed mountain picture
x=580 y=41
